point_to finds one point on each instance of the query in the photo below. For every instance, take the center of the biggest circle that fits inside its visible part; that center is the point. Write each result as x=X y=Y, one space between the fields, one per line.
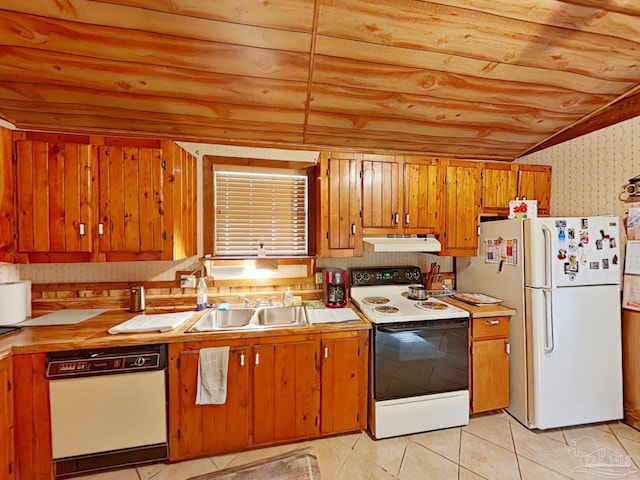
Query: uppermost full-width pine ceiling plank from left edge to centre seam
x=144 y=48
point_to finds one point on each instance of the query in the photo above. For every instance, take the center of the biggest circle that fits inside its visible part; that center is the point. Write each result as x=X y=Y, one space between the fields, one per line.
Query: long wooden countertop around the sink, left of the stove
x=92 y=333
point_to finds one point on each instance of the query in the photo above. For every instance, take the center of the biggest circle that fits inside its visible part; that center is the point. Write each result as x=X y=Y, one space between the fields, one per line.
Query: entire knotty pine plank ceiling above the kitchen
x=486 y=79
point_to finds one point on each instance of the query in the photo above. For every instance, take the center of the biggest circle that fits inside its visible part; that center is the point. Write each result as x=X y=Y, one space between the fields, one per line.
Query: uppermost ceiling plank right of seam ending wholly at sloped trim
x=440 y=84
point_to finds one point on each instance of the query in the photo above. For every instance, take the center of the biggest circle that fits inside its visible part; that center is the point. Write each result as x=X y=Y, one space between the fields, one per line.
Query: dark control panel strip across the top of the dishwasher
x=106 y=361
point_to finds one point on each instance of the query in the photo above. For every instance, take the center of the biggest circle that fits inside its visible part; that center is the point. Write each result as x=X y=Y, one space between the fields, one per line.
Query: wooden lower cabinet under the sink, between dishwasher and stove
x=279 y=388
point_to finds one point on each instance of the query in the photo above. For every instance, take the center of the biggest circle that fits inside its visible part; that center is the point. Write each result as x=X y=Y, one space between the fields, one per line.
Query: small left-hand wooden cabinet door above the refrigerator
x=499 y=186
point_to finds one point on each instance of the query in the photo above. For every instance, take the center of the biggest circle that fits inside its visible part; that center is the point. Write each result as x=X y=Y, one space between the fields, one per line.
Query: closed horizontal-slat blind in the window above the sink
x=254 y=208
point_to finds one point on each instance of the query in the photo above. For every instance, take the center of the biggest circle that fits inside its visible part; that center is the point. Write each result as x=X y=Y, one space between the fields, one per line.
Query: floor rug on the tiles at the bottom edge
x=300 y=464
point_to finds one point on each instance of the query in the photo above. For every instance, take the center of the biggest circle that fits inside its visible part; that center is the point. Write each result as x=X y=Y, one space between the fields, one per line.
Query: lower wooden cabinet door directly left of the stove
x=344 y=383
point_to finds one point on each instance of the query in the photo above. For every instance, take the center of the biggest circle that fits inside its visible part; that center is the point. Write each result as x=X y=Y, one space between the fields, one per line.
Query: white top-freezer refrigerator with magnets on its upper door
x=562 y=276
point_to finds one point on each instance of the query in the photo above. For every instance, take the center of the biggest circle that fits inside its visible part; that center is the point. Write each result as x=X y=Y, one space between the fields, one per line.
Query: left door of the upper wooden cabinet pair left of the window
x=54 y=200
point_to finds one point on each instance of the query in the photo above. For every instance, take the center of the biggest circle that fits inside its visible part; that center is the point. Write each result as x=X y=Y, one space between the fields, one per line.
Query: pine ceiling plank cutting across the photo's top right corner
x=587 y=16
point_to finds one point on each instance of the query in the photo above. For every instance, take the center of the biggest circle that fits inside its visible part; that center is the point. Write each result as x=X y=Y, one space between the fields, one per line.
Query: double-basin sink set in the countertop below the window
x=247 y=318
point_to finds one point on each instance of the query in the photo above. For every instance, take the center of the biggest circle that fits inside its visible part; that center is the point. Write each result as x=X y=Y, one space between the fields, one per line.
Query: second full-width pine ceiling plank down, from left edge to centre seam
x=25 y=65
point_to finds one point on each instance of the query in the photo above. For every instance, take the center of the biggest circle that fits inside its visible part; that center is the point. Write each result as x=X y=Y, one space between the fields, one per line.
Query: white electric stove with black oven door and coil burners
x=419 y=354
